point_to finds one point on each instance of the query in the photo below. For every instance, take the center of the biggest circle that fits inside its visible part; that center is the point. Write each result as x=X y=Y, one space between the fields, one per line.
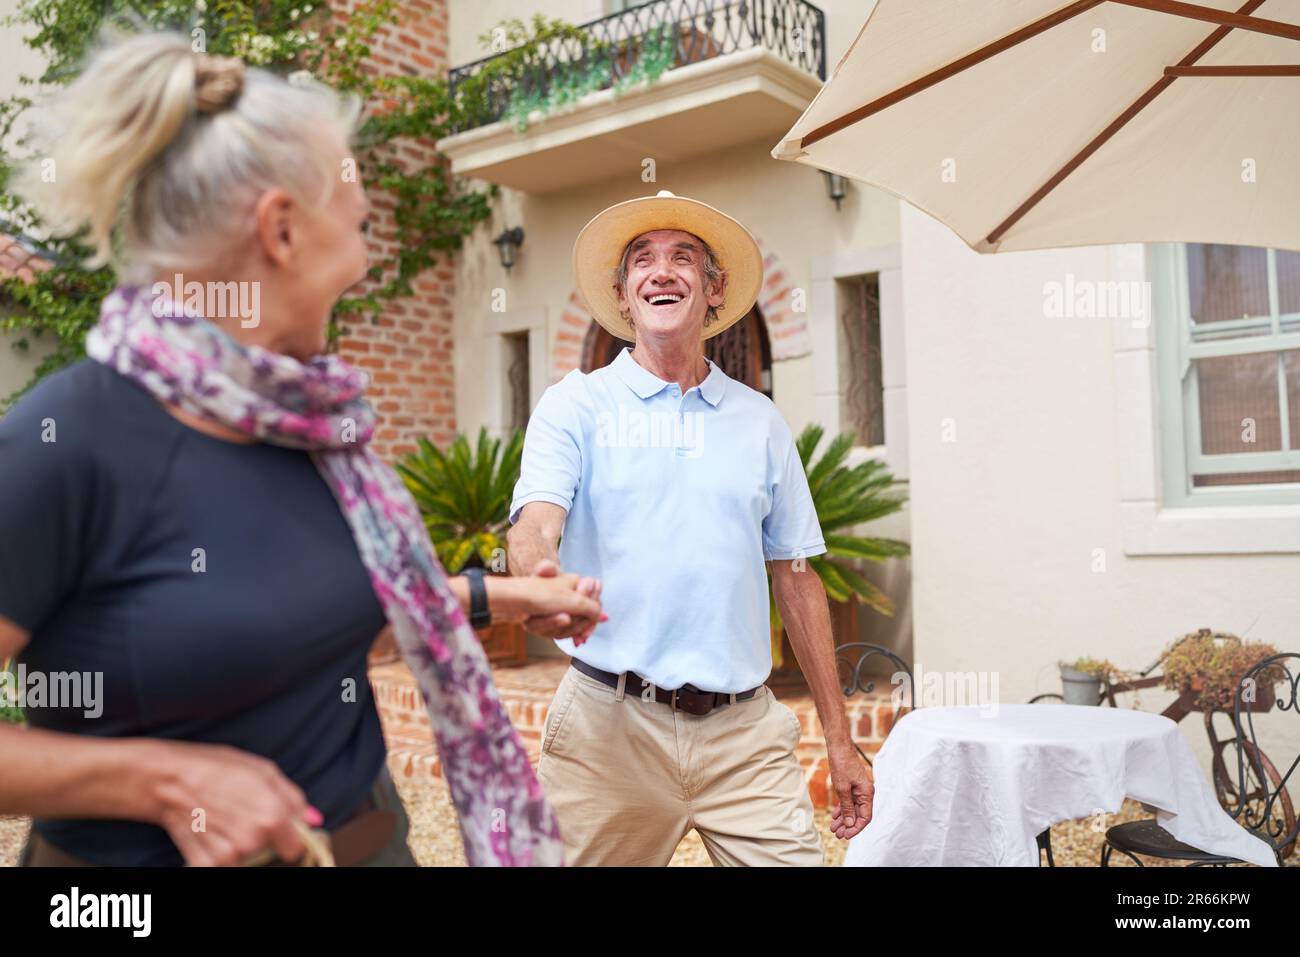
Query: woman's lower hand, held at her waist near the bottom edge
x=222 y=806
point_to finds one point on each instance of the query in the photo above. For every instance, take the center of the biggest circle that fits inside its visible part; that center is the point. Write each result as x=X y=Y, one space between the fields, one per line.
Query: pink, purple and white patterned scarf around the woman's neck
x=185 y=361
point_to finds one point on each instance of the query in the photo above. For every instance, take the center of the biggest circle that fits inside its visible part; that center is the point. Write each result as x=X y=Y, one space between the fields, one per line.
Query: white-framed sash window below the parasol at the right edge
x=1230 y=367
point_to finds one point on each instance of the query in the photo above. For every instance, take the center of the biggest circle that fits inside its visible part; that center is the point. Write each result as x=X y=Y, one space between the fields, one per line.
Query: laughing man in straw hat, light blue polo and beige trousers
x=671 y=484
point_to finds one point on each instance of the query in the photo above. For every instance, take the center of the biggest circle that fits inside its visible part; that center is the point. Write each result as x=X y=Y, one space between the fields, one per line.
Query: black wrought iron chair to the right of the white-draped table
x=1258 y=800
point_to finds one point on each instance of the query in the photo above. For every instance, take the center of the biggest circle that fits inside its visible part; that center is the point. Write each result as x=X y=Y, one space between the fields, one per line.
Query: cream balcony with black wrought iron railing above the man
x=733 y=72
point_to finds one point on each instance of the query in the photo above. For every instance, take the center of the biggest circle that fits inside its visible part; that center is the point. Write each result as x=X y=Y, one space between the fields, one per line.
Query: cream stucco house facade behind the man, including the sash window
x=1069 y=493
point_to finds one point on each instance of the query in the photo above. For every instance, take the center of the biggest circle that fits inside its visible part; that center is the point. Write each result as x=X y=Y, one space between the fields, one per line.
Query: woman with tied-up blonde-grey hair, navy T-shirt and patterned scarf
x=193 y=522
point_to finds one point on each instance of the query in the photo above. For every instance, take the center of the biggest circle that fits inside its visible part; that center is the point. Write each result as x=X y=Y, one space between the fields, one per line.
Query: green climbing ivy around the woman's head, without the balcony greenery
x=435 y=211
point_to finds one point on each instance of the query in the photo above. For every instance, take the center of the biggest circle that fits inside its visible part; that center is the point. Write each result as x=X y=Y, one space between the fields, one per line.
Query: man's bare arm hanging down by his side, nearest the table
x=803 y=604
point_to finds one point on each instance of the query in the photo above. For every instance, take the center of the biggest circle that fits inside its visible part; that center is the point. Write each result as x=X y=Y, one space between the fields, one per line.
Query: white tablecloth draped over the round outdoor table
x=976 y=786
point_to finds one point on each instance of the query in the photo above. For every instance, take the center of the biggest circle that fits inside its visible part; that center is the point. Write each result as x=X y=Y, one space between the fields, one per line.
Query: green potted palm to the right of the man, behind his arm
x=844 y=499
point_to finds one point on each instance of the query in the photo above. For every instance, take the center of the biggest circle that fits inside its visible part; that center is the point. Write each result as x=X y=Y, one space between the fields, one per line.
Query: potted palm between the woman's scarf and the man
x=465 y=497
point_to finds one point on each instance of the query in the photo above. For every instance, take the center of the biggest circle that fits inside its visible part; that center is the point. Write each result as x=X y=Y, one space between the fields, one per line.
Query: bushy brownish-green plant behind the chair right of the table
x=1208 y=666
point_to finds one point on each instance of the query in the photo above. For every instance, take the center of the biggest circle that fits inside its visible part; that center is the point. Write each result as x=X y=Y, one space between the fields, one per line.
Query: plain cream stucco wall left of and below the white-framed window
x=1006 y=519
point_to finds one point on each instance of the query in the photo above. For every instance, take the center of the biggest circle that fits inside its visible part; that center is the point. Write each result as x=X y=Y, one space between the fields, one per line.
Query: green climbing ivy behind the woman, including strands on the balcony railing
x=434 y=210
